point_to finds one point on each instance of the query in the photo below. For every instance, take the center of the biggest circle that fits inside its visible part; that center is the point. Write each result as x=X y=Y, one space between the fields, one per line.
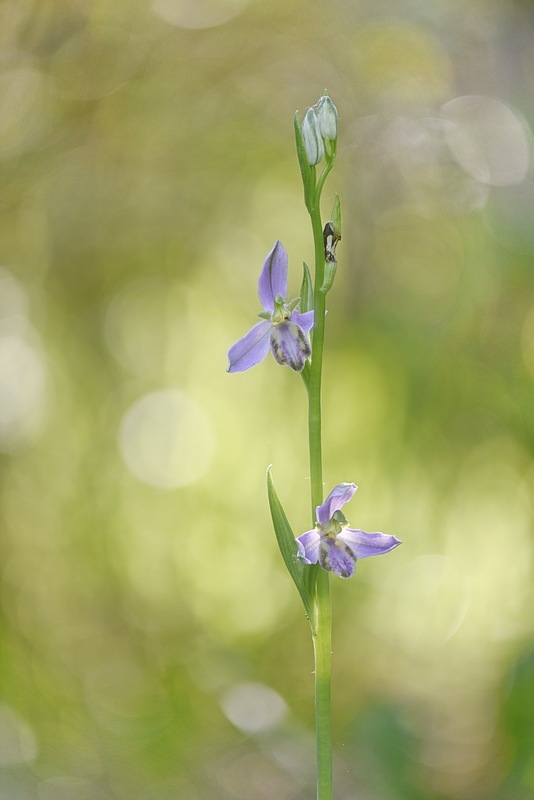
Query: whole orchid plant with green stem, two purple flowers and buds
x=330 y=546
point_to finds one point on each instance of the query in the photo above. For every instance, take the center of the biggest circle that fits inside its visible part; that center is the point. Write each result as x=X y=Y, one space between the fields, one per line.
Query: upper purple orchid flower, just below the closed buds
x=282 y=329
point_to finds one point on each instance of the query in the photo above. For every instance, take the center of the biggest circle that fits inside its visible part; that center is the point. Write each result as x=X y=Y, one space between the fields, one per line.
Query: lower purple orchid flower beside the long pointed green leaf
x=334 y=545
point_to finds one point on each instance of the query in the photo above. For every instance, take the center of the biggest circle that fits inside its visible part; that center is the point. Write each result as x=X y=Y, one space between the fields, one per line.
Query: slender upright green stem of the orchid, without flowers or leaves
x=322 y=627
